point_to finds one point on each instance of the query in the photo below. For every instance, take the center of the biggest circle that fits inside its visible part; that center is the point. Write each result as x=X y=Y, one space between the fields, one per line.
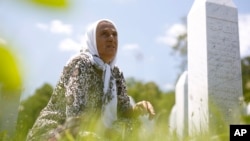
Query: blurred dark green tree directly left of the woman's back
x=29 y=110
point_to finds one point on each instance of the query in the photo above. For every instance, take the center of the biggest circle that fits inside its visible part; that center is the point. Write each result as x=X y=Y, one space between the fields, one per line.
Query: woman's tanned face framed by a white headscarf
x=106 y=41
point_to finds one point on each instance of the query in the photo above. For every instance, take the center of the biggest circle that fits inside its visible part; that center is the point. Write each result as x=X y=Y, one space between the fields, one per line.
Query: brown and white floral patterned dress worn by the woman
x=79 y=93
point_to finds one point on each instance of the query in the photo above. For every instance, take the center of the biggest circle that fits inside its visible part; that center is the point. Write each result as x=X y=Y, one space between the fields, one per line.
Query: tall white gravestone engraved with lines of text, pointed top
x=214 y=68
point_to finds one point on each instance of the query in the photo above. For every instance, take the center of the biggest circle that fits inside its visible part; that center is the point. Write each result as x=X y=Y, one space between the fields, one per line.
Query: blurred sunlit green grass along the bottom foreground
x=75 y=130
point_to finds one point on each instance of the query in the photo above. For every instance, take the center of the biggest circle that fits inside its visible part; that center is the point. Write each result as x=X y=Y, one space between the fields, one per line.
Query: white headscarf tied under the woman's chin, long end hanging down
x=109 y=108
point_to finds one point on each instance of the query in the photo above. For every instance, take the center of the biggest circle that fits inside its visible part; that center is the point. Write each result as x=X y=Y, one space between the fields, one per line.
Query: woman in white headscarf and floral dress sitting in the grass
x=90 y=97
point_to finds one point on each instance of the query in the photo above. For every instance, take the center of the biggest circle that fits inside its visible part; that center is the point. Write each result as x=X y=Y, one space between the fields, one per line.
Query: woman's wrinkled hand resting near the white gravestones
x=143 y=108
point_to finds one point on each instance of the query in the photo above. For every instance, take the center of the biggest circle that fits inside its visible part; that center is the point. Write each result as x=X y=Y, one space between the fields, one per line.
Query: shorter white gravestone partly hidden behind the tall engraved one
x=181 y=103
